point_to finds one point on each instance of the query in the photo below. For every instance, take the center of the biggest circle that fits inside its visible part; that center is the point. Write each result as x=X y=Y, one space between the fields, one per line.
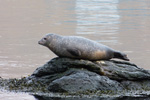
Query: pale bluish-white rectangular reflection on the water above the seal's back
x=97 y=16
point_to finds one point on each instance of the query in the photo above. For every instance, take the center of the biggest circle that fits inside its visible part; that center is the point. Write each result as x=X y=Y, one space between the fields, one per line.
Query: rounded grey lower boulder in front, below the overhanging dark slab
x=83 y=81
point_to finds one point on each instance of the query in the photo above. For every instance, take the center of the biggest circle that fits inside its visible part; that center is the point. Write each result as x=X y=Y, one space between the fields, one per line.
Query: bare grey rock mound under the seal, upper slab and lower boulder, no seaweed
x=72 y=75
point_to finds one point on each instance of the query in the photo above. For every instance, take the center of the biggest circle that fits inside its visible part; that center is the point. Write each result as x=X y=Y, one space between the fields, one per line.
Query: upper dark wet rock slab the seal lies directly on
x=117 y=70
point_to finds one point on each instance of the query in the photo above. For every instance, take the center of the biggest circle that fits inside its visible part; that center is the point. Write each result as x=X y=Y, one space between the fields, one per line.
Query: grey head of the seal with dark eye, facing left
x=45 y=41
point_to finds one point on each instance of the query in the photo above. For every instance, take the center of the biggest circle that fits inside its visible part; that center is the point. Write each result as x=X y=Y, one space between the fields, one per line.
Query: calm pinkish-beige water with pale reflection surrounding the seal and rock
x=120 y=24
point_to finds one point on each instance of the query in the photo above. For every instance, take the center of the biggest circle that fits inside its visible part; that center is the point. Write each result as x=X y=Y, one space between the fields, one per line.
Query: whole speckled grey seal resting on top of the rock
x=79 y=47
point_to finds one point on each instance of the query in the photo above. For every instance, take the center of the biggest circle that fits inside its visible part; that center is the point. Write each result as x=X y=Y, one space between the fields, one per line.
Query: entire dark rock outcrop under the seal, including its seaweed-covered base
x=73 y=76
